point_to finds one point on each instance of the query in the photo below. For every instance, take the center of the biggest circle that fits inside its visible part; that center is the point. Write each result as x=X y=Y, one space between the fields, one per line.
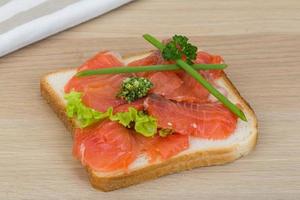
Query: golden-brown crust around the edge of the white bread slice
x=209 y=157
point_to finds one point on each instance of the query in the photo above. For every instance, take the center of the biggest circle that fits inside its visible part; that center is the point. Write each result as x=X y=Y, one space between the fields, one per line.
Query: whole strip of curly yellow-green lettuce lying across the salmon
x=140 y=121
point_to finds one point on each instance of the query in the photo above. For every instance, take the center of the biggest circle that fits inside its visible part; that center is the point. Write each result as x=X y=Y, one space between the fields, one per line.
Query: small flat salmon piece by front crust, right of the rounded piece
x=163 y=147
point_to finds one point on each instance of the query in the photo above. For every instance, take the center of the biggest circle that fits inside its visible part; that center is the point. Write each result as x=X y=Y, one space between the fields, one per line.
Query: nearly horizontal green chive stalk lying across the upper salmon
x=136 y=69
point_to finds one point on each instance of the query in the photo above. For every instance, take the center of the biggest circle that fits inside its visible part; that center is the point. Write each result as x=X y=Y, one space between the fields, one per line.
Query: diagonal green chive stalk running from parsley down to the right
x=232 y=107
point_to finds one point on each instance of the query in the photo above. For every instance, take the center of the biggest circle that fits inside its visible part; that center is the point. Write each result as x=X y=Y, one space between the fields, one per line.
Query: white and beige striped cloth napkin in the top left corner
x=23 y=22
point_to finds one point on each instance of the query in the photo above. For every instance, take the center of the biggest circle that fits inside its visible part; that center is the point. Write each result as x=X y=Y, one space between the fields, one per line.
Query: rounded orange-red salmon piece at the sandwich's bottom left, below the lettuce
x=107 y=146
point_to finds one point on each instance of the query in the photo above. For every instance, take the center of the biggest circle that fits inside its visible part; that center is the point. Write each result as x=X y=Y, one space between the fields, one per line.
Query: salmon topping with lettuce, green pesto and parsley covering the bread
x=122 y=115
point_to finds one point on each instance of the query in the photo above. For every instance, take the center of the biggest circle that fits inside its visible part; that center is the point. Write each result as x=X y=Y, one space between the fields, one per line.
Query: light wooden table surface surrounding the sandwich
x=260 y=40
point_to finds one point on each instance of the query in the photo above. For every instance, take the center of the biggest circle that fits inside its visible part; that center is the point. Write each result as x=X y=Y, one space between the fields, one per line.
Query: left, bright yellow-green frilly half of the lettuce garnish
x=85 y=115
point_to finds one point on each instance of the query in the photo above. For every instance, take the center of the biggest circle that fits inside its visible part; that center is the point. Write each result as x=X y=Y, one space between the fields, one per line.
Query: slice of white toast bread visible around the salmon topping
x=202 y=152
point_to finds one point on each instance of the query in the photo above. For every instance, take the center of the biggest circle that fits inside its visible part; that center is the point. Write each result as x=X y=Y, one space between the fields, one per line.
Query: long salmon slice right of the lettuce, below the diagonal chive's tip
x=206 y=120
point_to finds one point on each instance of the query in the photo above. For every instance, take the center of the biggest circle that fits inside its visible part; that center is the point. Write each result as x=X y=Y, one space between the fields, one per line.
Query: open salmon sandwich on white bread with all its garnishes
x=135 y=118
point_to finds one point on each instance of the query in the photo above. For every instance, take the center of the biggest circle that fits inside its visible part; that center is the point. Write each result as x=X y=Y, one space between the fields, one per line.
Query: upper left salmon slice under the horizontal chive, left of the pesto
x=99 y=92
